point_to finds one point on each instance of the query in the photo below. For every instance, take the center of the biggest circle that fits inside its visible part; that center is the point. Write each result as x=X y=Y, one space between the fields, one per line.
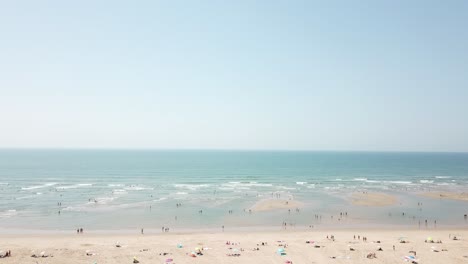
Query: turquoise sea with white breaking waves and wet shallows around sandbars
x=126 y=189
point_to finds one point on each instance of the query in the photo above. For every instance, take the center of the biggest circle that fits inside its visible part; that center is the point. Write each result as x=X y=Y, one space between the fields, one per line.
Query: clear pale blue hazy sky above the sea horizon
x=283 y=75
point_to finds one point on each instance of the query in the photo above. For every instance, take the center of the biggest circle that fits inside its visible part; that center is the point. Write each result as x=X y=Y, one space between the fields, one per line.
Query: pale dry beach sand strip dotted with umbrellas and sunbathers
x=146 y=248
